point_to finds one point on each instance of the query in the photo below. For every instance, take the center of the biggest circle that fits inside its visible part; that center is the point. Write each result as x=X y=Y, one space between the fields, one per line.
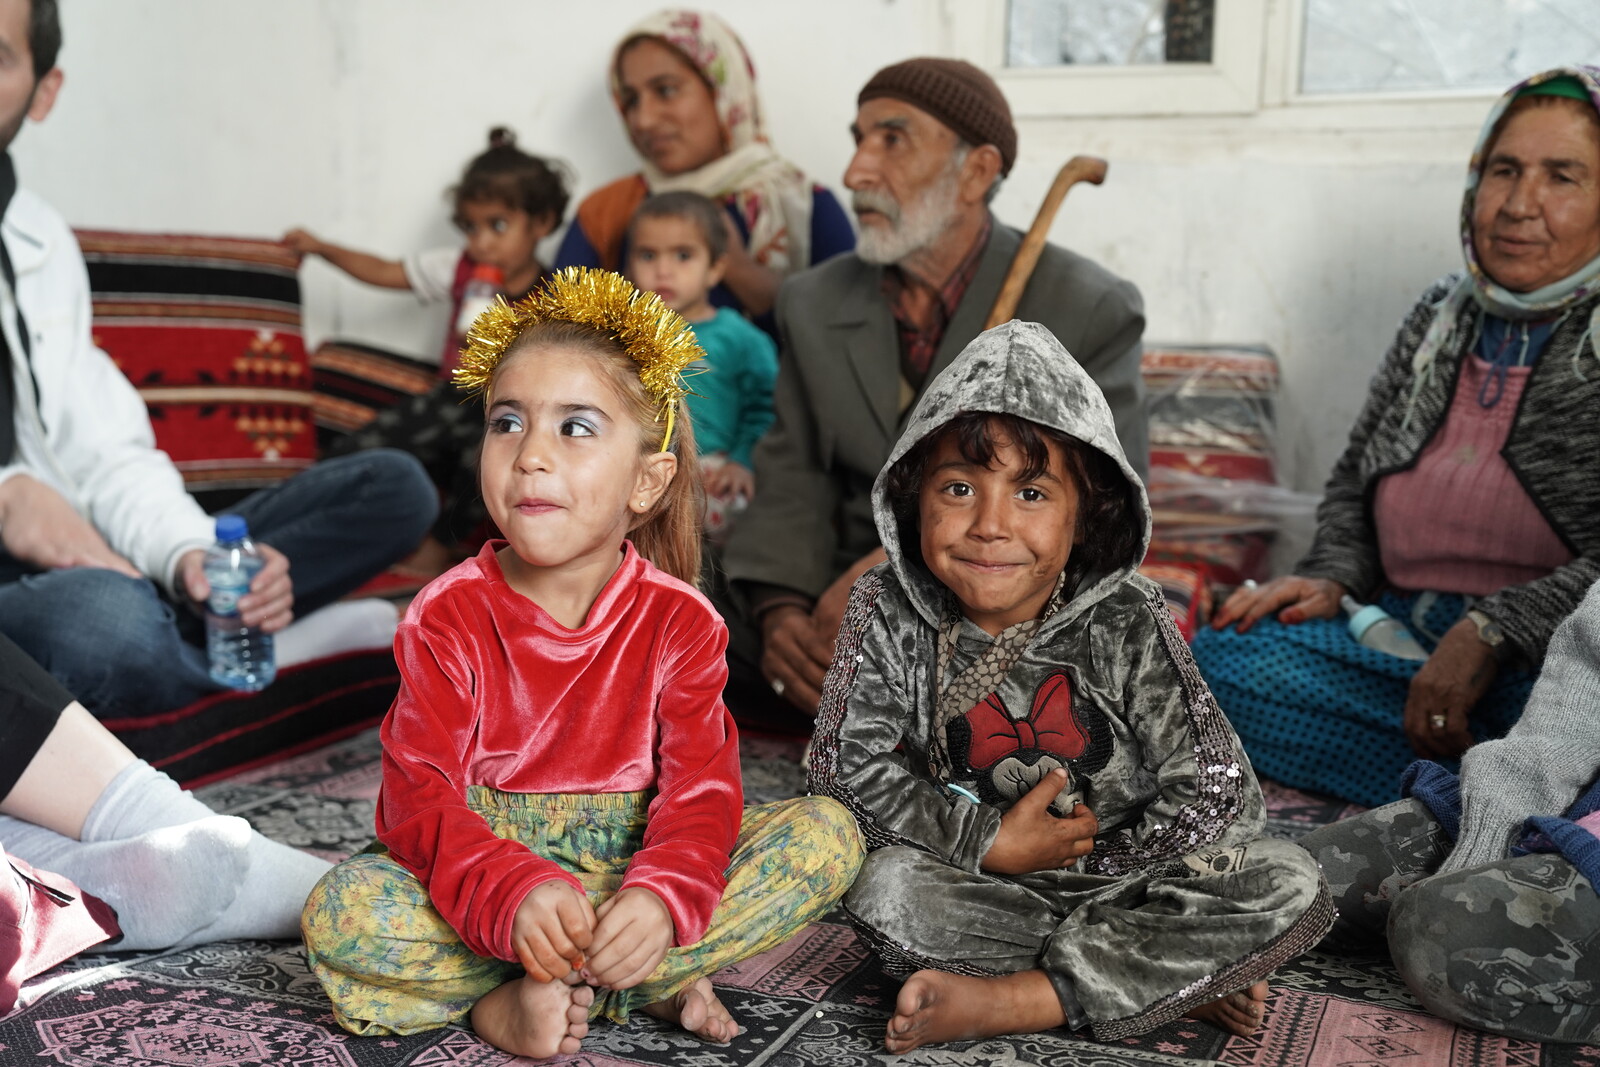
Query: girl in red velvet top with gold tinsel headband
x=561 y=829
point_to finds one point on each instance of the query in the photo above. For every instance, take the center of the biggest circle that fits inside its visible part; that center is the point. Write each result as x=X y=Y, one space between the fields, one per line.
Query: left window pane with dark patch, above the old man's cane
x=1118 y=33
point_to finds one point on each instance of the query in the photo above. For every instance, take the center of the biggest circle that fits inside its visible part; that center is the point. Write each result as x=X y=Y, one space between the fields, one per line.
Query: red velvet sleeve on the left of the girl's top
x=476 y=881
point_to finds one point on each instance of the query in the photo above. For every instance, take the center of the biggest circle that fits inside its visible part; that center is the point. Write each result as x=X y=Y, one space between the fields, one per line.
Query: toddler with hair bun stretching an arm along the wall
x=505 y=206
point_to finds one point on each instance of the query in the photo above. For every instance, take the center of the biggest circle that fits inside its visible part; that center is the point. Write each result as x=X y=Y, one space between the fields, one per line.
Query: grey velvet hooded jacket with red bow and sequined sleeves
x=1145 y=740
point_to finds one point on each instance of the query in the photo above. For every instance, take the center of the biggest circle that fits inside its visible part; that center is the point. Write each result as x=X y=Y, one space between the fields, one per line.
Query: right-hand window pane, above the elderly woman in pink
x=1398 y=46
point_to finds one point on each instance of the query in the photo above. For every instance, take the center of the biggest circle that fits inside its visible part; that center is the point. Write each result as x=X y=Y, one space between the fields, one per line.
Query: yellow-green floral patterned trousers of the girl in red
x=393 y=965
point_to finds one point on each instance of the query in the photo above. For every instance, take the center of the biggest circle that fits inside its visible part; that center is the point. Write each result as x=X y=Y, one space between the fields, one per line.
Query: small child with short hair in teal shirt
x=678 y=249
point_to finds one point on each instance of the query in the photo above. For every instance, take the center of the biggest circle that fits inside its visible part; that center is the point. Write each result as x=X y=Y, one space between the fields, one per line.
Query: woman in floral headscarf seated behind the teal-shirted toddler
x=686 y=89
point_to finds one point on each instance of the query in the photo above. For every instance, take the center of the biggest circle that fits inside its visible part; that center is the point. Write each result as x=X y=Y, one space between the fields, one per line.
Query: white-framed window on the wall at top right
x=1062 y=58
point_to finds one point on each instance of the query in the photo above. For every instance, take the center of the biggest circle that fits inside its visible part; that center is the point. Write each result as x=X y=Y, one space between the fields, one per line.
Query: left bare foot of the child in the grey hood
x=935 y=1007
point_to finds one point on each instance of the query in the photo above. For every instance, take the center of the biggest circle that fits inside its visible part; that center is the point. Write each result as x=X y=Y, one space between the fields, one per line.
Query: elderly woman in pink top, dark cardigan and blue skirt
x=1468 y=503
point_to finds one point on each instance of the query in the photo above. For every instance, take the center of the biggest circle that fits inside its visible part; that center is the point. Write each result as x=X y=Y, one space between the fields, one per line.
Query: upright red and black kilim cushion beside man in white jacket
x=209 y=329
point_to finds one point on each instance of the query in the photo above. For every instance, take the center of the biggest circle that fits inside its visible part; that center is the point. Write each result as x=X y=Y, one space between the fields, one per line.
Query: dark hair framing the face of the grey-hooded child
x=1108 y=532
